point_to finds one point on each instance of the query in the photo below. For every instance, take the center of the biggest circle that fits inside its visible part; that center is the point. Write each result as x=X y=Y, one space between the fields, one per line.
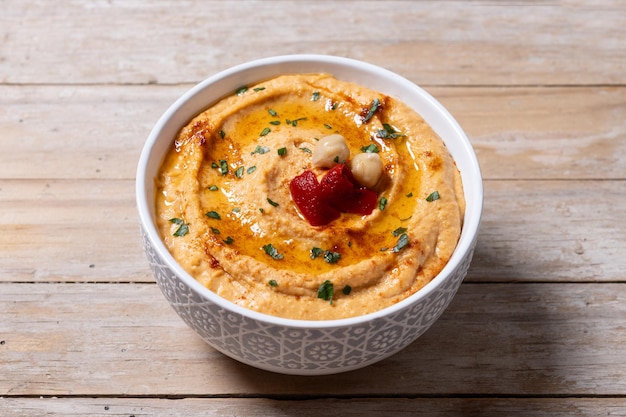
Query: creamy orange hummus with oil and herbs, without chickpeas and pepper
x=225 y=211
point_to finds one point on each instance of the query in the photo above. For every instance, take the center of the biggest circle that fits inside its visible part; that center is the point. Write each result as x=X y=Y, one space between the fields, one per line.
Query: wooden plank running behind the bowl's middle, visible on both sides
x=87 y=231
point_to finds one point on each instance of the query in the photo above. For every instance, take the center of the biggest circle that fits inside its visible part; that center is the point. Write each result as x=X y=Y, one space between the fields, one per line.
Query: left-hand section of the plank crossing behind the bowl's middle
x=63 y=230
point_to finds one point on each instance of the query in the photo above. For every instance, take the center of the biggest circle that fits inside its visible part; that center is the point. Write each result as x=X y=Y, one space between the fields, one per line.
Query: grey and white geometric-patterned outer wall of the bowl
x=296 y=350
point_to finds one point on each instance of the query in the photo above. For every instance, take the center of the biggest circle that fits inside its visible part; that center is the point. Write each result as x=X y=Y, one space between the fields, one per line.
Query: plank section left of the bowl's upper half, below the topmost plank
x=77 y=131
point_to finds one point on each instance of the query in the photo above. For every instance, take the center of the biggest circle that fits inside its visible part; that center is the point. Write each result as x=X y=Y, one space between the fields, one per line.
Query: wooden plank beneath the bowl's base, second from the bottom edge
x=495 y=340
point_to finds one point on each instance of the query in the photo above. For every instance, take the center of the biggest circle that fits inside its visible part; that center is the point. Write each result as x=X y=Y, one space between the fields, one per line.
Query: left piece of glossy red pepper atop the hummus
x=307 y=194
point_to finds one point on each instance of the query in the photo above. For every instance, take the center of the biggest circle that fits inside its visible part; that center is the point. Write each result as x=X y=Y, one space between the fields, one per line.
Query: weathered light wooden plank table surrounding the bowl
x=538 y=328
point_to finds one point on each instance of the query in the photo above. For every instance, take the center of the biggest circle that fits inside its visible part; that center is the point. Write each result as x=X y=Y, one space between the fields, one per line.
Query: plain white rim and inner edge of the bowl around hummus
x=226 y=81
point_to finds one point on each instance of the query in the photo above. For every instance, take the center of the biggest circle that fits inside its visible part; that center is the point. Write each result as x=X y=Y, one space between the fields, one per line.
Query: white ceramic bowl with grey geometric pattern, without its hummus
x=291 y=346
